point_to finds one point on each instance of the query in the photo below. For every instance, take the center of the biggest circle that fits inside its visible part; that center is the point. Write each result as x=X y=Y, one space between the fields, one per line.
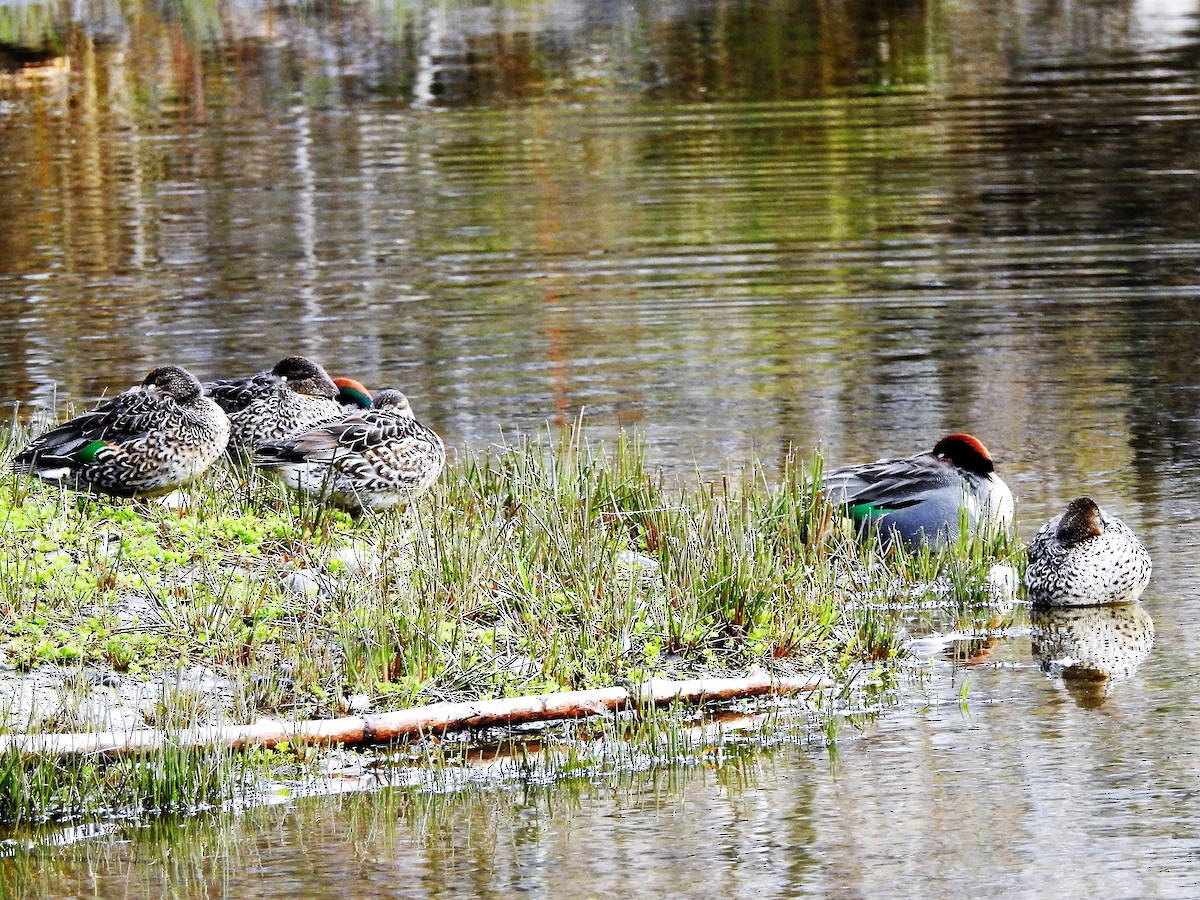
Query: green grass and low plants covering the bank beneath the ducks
x=542 y=567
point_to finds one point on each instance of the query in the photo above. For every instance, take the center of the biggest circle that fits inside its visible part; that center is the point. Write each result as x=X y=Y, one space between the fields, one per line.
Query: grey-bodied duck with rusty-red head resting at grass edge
x=919 y=499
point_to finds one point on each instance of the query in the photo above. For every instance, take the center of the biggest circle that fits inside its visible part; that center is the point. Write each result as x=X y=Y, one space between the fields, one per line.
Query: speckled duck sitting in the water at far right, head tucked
x=1087 y=557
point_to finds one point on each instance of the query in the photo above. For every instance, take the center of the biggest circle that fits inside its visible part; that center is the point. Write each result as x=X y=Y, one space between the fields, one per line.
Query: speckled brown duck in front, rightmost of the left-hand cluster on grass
x=369 y=461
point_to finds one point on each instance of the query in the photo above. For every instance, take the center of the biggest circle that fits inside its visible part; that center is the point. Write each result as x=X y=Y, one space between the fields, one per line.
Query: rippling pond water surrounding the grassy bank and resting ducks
x=736 y=227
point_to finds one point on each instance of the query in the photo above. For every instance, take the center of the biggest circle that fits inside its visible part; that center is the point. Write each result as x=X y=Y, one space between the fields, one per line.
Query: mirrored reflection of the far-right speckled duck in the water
x=1091 y=647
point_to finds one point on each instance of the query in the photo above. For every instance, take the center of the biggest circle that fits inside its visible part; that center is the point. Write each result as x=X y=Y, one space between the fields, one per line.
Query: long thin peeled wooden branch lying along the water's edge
x=436 y=719
